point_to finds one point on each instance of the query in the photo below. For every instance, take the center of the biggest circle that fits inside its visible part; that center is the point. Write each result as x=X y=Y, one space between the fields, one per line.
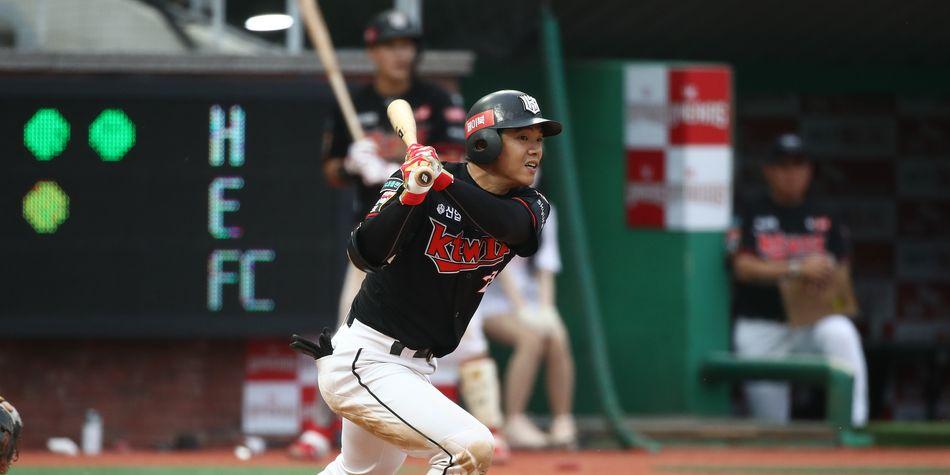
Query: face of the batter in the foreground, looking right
x=520 y=157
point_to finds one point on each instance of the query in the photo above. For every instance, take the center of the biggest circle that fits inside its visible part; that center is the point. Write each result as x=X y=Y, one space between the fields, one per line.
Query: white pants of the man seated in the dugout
x=833 y=336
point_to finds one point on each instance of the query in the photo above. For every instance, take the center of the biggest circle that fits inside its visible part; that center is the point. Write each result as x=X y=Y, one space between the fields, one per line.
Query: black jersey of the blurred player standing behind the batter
x=439 y=123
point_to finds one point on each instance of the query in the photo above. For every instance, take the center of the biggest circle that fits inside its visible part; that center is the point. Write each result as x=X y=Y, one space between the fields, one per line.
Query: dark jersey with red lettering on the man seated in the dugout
x=774 y=232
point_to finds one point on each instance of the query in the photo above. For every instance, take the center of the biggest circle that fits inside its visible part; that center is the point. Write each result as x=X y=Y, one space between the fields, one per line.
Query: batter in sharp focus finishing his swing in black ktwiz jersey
x=430 y=252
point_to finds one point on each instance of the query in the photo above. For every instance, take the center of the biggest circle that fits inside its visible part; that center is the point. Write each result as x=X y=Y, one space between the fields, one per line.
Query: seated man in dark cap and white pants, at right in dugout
x=786 y=235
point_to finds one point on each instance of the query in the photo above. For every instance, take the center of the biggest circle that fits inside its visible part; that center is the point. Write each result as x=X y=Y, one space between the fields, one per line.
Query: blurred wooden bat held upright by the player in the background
x=320 y=37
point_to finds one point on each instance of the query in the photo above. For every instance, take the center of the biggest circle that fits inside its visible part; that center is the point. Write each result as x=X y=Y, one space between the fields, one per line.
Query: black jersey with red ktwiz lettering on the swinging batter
x=426 y=295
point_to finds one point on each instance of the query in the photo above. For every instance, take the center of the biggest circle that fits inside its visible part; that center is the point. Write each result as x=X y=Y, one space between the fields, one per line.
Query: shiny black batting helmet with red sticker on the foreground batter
x=507 y=109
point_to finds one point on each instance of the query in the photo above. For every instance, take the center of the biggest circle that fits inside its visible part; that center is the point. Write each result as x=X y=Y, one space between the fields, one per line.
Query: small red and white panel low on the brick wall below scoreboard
x=272 y=394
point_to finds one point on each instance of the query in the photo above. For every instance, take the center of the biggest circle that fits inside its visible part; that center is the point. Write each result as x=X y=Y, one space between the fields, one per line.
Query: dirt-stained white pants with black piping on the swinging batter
x=390 y=409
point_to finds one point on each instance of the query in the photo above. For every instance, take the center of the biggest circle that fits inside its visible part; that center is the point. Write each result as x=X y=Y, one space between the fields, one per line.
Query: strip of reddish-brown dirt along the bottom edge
x=669 y=461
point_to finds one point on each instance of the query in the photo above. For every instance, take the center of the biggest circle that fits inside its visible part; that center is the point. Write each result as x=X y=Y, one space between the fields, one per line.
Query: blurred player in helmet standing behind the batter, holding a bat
x=393 y=43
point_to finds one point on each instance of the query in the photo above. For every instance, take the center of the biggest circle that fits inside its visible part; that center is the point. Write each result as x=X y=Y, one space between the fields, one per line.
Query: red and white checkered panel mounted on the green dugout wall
x=678 y=140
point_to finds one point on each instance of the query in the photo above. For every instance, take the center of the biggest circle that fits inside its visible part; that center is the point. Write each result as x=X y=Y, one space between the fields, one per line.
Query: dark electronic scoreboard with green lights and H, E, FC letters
x=152 y=206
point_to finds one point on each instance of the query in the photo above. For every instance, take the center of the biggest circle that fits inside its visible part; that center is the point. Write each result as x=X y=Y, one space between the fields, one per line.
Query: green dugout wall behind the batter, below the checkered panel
x=664 y=294
